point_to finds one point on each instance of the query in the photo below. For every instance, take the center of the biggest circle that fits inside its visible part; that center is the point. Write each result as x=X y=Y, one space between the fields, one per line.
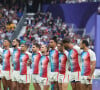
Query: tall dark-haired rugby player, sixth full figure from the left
x=54 y=63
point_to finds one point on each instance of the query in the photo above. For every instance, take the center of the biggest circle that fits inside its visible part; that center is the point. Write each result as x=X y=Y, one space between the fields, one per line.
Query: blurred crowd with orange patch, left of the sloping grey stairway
x=9 y=18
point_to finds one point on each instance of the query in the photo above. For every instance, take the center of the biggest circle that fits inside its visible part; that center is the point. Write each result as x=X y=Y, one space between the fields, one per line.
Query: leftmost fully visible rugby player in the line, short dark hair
x=6 y=65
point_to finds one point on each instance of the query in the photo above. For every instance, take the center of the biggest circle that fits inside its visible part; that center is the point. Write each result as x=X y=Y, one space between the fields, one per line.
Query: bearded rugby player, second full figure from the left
x=16 y=64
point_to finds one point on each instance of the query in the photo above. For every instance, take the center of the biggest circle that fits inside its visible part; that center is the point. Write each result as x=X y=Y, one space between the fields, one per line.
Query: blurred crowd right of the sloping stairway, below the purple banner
x=42 y=26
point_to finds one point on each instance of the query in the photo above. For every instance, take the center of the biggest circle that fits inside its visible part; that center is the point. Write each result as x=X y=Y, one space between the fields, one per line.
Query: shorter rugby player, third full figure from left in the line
x=24 y=68
